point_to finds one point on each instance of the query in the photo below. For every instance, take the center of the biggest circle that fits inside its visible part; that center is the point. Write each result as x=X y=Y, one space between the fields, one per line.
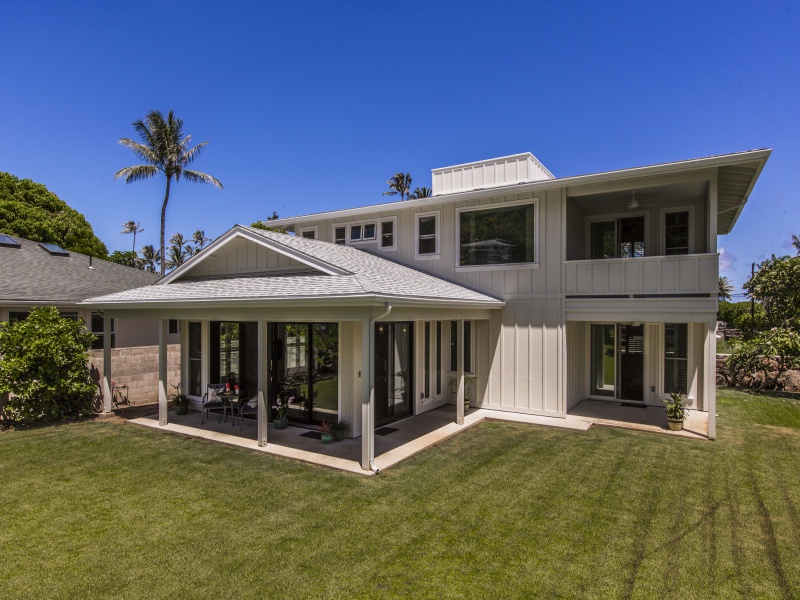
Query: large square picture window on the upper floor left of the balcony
x=496 y=236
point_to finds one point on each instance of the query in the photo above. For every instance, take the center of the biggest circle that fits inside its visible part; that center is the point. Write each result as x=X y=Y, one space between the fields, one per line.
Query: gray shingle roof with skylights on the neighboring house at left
x=31 y=274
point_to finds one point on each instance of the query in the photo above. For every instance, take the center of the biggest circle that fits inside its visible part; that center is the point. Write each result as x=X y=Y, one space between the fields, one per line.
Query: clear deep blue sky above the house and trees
x=313 y=106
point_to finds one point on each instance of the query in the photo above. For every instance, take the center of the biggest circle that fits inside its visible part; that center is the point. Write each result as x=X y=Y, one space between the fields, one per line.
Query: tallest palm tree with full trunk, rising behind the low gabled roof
x=167 y=151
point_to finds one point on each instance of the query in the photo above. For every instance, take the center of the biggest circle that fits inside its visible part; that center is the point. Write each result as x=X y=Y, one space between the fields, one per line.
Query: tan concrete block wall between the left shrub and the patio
x=137 y=367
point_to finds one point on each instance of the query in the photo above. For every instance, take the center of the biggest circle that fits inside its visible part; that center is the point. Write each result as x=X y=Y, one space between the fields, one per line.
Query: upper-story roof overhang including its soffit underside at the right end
x=737 y=174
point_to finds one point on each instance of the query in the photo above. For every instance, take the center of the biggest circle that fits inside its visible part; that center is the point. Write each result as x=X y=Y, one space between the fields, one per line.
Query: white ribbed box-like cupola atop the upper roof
x=484 y=174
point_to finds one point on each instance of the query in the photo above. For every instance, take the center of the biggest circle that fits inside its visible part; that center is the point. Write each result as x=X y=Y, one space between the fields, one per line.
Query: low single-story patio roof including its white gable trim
x=337 y=272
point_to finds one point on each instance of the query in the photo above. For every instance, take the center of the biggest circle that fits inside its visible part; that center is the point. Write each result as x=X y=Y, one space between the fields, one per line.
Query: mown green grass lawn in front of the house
x=503 y=510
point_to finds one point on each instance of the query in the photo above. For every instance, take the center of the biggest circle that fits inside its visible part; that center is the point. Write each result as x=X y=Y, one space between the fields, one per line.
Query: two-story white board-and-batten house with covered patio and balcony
x=526 y=292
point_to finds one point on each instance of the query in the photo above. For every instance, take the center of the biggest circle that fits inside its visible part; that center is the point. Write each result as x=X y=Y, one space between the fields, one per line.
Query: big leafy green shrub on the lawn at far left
x=44 y=366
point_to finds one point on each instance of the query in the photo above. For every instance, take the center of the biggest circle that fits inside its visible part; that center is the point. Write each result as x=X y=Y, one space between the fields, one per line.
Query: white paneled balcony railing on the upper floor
x=684 y=274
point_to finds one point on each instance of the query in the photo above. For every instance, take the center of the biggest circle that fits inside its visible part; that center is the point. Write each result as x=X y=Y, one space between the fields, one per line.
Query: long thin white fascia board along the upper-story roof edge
x=593 y=178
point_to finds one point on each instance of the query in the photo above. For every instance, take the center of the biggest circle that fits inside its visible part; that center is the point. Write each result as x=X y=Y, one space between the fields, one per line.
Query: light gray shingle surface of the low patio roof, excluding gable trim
x=367 y=275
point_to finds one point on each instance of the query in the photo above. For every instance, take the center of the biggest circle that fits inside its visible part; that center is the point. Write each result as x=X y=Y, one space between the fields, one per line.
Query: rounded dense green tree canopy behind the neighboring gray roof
x=29 y=210
